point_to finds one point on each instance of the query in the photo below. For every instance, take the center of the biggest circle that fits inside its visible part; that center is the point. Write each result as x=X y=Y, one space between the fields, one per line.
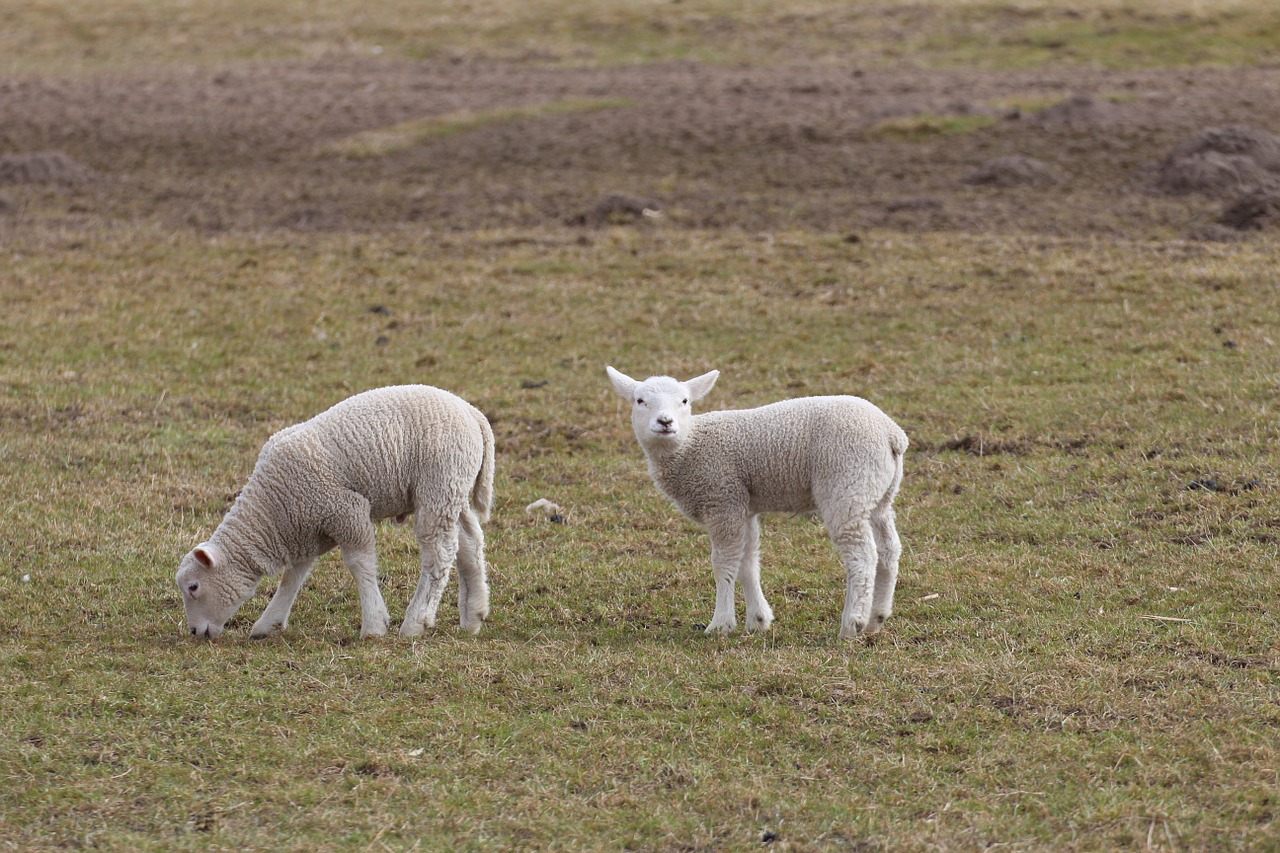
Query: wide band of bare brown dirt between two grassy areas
x=712 y=147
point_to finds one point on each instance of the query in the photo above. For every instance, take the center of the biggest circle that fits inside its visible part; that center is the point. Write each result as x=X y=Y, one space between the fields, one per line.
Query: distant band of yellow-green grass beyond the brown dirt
x=74 y=37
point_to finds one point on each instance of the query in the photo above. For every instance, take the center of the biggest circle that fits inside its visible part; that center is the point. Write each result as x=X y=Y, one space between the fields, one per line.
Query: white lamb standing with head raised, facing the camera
x=839 y=457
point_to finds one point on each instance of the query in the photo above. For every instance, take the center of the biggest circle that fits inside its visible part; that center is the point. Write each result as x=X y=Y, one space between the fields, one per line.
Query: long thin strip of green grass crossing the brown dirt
x=399 y=138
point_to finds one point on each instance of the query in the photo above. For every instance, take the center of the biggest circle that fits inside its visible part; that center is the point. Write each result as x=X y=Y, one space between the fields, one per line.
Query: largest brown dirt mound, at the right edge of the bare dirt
x=1222 y=162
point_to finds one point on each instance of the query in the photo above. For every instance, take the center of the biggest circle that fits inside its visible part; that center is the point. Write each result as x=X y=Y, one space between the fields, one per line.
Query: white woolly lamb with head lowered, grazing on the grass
x=323 y=483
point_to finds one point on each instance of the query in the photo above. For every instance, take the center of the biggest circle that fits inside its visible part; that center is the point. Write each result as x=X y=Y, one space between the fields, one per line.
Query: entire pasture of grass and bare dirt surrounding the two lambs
x=218 y=222
